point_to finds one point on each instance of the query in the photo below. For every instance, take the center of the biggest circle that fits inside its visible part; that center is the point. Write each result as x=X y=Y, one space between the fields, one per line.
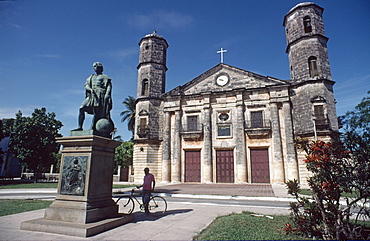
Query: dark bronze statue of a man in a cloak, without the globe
x=98 y=101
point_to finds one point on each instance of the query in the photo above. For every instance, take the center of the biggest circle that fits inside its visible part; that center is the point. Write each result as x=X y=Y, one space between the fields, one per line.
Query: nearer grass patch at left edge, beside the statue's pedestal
x=13 y=206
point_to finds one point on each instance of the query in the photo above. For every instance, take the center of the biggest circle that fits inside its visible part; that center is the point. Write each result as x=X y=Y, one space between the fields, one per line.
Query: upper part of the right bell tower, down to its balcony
x=312 y=97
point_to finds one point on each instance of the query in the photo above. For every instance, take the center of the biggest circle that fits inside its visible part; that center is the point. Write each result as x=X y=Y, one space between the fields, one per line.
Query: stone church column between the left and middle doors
x=207 y=149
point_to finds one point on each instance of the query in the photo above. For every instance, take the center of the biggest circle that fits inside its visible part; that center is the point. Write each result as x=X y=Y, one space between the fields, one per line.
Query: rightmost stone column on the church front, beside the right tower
x=292 y=165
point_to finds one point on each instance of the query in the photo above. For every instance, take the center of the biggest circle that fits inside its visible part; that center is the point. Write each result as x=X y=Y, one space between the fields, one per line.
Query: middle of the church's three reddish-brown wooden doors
x=225 y=166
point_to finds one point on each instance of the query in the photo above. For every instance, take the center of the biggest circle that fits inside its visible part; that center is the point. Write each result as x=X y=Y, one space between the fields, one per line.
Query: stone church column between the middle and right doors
x=240 y=157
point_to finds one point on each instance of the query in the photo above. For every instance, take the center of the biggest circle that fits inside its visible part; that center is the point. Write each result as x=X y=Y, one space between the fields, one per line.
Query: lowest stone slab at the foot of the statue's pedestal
x=75 y=229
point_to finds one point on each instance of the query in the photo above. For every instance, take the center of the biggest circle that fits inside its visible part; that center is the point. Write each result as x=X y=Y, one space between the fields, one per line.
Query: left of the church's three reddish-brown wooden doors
x=192 y=166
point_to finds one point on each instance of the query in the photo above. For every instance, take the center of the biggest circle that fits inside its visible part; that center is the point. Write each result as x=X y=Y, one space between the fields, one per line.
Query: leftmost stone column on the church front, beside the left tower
x=166 y=161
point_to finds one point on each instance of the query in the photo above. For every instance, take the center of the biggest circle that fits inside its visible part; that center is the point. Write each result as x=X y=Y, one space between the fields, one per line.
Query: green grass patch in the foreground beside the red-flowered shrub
x=246 y=227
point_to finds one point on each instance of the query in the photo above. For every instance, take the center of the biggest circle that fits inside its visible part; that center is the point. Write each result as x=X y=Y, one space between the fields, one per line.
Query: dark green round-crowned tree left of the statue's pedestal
x=33 y=139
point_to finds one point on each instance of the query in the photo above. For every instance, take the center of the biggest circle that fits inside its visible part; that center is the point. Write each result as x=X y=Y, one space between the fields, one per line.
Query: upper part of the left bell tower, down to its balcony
x=150 y=85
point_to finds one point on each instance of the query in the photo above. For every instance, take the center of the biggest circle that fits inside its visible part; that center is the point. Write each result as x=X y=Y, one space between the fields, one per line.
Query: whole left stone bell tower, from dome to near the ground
x=150 y=87
